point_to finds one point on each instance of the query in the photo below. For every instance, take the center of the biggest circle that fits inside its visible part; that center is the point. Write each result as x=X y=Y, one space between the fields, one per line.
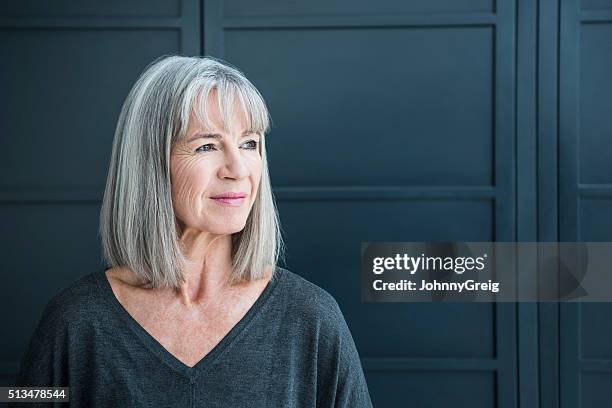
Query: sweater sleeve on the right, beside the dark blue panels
x=343 y=384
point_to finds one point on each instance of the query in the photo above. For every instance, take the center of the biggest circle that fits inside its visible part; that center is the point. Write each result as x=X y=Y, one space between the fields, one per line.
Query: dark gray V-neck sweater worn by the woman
x=293 y=348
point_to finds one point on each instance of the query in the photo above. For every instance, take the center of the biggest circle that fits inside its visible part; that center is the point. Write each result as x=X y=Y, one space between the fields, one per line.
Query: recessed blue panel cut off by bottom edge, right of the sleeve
x=432 y=389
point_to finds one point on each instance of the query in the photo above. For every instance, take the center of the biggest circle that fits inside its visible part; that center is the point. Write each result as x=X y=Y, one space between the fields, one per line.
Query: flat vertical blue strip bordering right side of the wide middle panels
x=505 y=212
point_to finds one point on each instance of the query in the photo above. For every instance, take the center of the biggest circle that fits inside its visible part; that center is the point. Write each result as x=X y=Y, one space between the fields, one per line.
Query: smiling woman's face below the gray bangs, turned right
x=210 y=167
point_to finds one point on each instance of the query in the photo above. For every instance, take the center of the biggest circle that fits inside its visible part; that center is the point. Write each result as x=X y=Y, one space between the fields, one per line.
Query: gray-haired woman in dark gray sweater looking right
x=194 y=310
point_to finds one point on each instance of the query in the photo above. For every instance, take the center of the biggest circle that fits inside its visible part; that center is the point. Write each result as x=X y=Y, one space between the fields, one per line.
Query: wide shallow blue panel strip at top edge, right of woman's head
x=241 y=8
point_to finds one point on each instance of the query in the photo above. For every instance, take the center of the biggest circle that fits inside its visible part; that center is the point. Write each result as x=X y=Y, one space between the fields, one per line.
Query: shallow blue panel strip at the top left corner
x=89 y=8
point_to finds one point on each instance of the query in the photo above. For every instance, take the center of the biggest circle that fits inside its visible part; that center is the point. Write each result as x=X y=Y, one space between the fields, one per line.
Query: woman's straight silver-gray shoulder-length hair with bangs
x=138 y=227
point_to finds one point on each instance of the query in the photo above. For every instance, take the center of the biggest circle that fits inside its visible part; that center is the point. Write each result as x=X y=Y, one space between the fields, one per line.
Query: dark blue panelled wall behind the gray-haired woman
x=467 y=120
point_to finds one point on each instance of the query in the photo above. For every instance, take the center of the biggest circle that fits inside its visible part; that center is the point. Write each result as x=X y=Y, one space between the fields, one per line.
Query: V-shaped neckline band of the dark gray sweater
x=168 y=358
